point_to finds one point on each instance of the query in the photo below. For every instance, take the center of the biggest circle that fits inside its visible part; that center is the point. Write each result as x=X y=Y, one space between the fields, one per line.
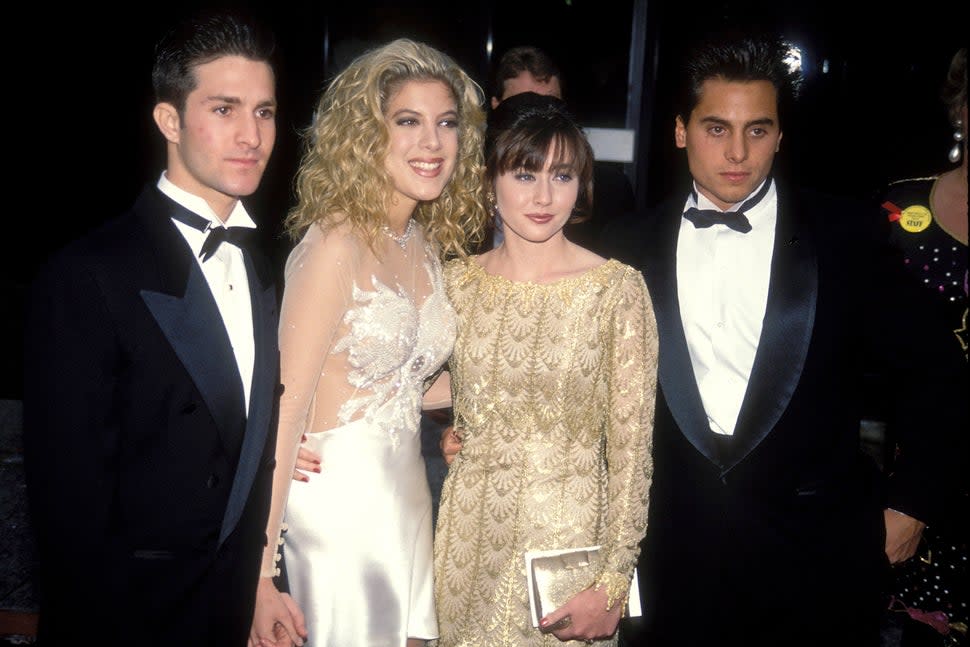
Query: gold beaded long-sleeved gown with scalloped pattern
x=553 y=391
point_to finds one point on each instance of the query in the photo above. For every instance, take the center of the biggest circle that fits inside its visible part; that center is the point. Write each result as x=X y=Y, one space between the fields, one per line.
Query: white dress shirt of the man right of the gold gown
x=722 y=285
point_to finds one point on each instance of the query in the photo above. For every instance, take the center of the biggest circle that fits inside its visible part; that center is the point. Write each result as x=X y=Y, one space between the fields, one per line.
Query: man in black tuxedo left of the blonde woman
x=152 y=374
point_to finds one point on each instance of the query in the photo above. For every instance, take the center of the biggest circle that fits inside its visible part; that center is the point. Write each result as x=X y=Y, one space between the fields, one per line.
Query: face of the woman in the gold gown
x=535 y=205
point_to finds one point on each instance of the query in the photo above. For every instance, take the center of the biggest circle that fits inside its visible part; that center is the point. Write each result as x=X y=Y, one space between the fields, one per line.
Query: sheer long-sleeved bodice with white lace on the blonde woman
x=359 y=336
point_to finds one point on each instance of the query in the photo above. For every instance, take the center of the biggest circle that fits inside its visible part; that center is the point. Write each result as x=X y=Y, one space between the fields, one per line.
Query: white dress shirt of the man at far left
x=225 y=272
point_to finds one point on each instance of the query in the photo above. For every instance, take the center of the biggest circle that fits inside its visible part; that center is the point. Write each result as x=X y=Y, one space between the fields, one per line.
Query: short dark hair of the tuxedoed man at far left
x=200 y=39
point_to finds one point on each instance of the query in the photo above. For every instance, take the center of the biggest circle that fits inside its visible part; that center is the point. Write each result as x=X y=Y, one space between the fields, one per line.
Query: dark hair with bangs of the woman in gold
x=519 y=135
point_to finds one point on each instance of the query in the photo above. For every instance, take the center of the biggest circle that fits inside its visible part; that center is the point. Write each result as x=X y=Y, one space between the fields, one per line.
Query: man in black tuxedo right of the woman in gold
x=768 y=525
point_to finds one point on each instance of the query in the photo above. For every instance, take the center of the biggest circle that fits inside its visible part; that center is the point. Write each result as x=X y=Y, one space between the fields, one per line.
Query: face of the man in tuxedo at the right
x=731 y=138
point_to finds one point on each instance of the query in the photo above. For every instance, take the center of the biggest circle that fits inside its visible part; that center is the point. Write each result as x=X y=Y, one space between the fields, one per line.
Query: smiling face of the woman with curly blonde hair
x=422 y=149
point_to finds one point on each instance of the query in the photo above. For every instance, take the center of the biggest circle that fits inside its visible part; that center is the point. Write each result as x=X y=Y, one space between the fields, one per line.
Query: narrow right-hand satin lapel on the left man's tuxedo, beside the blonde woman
x=262 y=294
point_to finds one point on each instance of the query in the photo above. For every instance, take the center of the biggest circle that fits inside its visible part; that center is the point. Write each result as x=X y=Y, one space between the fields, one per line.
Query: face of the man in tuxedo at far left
x=220 y=145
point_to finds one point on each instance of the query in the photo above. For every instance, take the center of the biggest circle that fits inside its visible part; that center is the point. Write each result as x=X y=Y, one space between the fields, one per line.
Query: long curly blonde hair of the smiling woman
x=341 y=176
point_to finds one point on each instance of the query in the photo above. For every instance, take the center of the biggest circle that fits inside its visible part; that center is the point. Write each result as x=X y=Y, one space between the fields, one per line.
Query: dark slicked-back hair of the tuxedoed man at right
x=732 y=56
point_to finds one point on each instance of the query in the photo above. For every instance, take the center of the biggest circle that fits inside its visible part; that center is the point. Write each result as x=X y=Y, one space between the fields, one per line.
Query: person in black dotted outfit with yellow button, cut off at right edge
x=927 y=220
